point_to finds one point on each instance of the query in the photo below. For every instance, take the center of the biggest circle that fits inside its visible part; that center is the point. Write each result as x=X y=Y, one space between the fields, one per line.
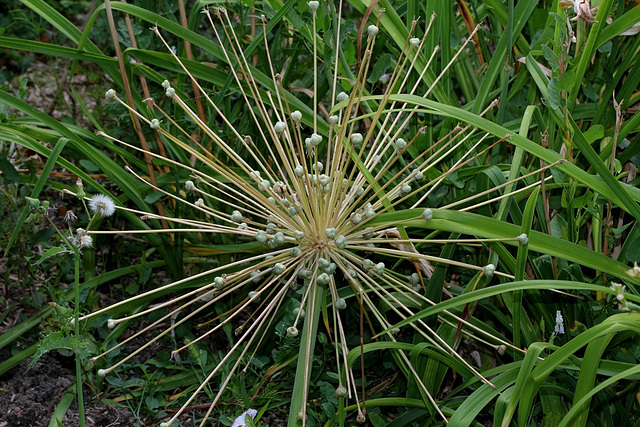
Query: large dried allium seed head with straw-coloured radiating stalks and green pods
x=310 y=200
